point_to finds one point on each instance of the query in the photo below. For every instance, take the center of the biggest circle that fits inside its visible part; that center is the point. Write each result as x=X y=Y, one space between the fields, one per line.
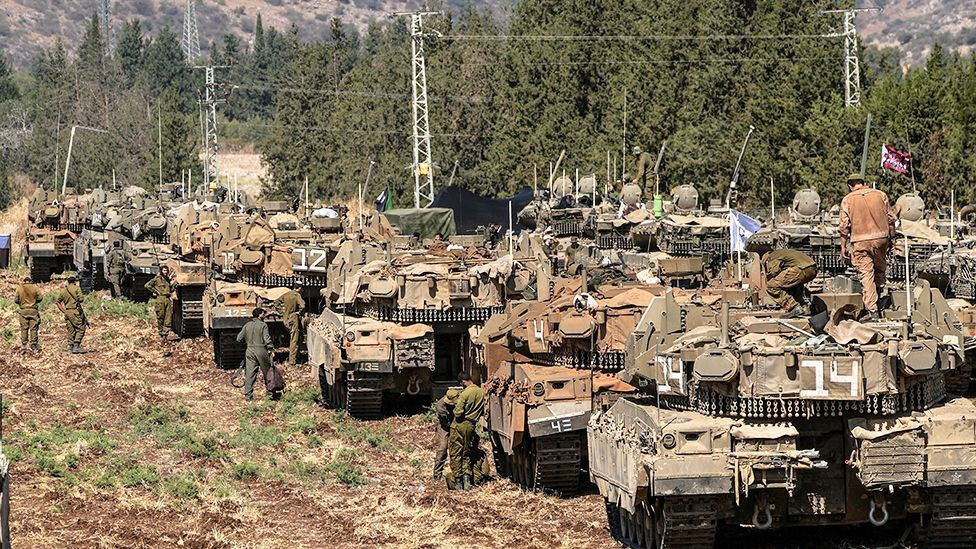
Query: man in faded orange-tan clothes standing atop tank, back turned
x=867 y=227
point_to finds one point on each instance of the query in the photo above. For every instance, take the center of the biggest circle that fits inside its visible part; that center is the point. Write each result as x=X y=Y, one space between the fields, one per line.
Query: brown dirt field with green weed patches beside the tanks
x=131 y=446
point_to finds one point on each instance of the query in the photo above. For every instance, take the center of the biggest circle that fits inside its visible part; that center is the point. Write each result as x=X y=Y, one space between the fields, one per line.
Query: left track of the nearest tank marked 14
x=682 y=522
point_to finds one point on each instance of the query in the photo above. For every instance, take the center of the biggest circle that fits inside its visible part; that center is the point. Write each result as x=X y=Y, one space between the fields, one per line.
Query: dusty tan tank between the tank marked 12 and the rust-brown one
x=448 y=290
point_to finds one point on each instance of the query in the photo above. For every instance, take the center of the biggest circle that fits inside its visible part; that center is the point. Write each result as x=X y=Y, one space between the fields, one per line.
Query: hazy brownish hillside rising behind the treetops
x=28 y=25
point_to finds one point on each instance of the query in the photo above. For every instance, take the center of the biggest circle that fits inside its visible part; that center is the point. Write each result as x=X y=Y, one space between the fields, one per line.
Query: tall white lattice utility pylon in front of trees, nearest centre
x=423 y=167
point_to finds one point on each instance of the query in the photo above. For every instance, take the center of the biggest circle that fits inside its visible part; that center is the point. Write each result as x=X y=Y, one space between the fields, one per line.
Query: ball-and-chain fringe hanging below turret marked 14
x=921 y=396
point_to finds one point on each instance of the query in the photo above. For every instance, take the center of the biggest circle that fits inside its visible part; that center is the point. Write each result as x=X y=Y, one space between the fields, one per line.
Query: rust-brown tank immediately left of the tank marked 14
x=548 y=365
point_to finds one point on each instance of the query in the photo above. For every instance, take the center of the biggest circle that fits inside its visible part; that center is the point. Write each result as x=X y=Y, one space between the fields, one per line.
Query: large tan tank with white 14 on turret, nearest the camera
x=746 y=419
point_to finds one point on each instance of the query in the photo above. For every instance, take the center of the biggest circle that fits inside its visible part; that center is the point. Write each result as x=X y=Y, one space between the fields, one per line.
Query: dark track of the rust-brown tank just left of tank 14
x=549 y=464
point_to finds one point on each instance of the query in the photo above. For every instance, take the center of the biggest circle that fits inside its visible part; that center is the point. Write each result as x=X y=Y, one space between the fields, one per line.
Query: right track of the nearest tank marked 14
x=953 y=520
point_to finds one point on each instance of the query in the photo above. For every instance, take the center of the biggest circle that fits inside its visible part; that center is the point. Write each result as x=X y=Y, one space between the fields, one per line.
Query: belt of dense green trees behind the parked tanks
x=589 y=77
